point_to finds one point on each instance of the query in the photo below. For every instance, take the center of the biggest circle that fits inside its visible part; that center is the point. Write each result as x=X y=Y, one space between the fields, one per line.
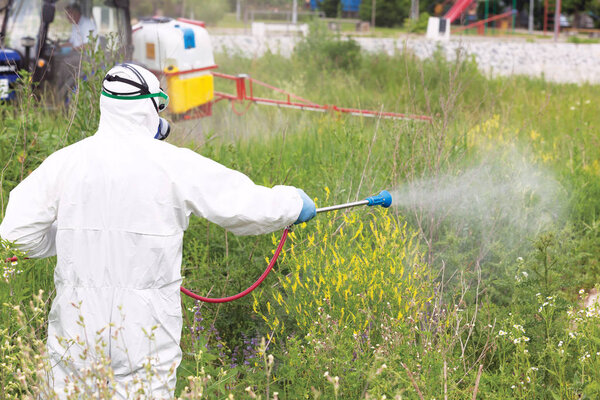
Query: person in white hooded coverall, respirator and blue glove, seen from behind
x=113 y=208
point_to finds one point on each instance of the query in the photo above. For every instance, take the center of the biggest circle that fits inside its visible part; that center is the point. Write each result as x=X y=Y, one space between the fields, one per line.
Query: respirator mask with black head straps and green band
x=160 y=100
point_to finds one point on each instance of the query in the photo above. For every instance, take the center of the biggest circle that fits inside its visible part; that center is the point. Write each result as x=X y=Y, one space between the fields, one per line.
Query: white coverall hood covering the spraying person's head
x=129 y=117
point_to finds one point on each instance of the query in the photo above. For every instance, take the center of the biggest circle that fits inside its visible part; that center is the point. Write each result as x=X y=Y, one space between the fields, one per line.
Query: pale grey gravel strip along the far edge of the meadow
x=557 y=62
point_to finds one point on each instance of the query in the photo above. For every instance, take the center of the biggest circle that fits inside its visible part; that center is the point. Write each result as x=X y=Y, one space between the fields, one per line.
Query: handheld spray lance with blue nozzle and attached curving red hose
x=384 y=199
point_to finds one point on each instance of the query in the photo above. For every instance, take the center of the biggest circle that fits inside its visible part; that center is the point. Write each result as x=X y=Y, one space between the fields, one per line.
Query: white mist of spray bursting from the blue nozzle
x=505 y=199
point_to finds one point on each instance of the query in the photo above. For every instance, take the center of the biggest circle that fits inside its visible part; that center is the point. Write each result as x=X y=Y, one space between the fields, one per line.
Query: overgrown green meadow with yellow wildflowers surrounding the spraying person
x=460 y=297
